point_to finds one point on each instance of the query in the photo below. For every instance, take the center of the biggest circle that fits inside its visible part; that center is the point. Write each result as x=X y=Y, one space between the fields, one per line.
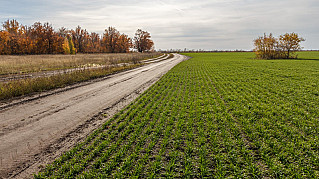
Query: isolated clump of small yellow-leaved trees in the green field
x=269 y=47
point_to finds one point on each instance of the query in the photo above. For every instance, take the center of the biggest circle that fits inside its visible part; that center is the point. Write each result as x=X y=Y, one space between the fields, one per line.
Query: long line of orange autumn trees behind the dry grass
x=18 y=39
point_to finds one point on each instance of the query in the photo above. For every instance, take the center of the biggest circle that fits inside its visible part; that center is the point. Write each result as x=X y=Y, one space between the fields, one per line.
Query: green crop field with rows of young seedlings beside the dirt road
x=216 y=115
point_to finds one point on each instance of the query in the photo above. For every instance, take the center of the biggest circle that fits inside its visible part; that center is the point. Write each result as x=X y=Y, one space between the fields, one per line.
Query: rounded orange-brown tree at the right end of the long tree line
x=142 y=41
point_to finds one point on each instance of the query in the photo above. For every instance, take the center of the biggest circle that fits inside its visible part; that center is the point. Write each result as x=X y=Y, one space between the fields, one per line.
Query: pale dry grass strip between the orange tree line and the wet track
x=10 y=64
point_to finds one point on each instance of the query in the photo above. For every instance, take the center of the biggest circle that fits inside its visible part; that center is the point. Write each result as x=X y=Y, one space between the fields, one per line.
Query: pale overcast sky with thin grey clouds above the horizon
x=177 y=24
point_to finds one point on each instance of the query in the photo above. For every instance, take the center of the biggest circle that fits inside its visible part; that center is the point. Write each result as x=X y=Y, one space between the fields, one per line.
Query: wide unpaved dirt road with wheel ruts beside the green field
x=34 y=132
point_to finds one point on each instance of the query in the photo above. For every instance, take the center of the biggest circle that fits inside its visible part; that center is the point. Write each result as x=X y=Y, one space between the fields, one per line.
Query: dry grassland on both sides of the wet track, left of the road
x=16 y=88
